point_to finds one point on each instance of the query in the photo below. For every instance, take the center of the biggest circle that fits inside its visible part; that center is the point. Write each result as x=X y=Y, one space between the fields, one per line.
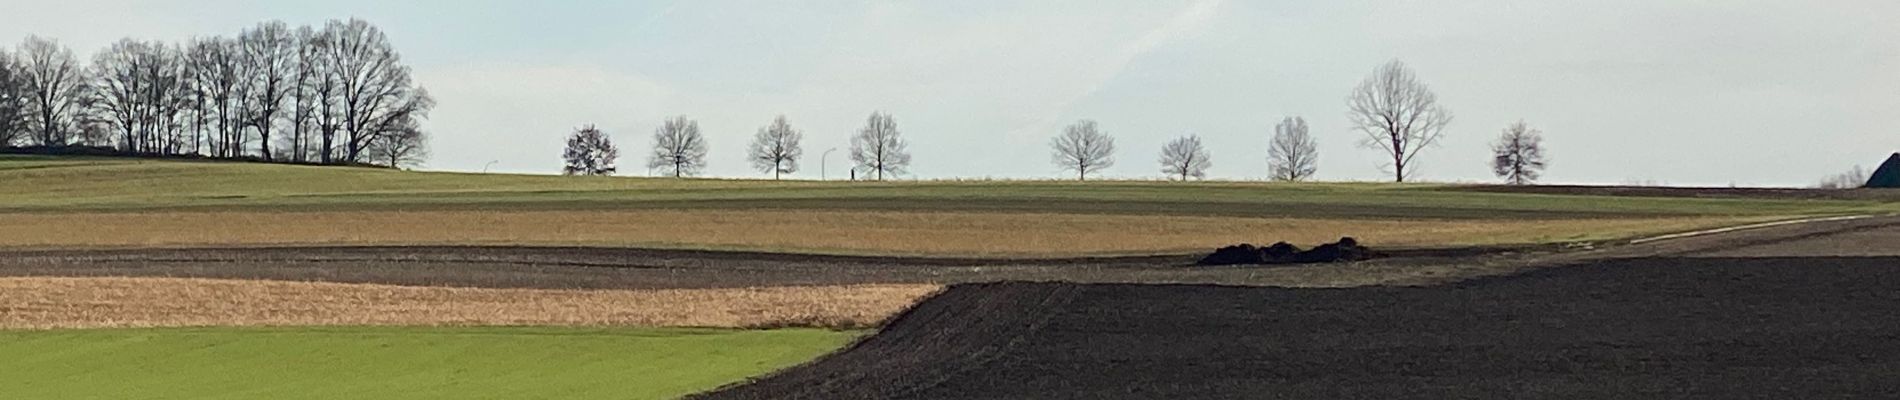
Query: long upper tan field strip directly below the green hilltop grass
x=839 y=232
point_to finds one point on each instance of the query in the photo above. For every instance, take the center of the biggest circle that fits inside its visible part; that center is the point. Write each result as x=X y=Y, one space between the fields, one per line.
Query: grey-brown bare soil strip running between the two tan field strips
x=643 y=270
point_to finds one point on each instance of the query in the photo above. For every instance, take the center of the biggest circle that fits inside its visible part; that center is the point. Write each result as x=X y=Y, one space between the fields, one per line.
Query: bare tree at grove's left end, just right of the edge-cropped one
x=56 y=90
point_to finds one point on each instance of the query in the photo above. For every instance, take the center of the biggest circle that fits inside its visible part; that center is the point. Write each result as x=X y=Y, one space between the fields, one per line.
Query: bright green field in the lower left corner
x=394 y=363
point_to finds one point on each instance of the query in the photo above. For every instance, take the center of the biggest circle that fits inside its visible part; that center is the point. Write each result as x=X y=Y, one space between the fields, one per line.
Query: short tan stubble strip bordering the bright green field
x=117 y=302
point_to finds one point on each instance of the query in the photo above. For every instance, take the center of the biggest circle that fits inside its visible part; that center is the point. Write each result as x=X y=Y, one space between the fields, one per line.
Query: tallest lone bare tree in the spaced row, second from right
x=1399 y=115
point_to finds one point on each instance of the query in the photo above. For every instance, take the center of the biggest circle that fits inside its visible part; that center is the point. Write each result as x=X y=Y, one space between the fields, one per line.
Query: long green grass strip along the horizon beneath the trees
x=64 y=185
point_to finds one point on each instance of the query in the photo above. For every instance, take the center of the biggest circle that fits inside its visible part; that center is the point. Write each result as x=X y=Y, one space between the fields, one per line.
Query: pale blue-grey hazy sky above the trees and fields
x=1627 y=92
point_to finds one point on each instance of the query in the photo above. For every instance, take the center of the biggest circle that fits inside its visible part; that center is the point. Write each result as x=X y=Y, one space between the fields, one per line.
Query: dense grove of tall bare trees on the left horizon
x=335 y=94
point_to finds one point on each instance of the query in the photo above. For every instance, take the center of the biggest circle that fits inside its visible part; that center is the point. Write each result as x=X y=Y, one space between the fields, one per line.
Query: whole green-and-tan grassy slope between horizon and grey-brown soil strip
x=85 y=204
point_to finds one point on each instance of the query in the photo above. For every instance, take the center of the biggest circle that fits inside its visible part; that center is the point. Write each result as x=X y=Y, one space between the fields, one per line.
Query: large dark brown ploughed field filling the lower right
x=1808 y=316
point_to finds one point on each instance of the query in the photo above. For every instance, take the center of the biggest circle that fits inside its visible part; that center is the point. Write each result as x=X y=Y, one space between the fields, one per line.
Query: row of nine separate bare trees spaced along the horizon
x=1397 y=115
